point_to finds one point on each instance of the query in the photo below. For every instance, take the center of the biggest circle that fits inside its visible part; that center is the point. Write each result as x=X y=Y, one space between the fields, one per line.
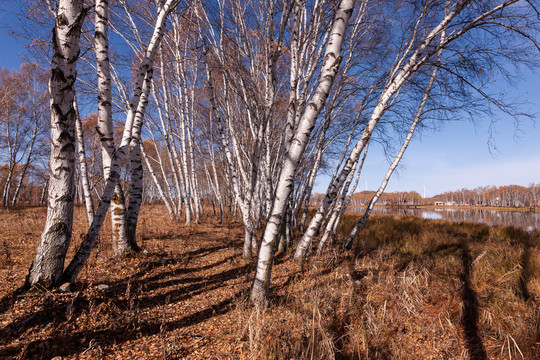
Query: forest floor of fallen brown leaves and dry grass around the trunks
x=410 y=289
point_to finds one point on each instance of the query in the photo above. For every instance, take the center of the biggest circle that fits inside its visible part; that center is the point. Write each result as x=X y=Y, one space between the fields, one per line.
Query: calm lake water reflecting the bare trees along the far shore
x=522 y=219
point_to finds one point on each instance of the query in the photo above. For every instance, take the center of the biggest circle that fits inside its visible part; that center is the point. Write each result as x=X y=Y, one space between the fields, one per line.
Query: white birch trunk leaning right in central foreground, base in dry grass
x=296 y=148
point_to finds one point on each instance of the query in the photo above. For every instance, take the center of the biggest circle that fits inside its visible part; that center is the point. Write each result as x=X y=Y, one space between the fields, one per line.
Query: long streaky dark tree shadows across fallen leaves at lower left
x=130 y=294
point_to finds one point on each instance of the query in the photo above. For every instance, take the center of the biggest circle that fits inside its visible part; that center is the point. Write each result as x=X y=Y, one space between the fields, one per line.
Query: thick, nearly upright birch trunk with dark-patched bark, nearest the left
x=46 y=270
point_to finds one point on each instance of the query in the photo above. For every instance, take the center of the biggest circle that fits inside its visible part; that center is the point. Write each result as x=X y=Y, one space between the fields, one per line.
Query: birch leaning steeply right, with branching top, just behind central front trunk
x=422 y=44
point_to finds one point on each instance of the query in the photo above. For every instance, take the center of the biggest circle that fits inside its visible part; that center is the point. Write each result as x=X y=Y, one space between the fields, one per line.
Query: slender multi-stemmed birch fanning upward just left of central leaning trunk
x=244 y=106
